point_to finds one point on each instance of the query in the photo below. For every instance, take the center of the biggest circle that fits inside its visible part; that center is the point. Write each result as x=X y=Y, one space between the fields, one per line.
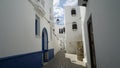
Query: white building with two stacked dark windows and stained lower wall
x=73 y=33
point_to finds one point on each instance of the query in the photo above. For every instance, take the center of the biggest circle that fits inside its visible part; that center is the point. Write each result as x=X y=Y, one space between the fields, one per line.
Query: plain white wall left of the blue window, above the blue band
x=17 y=28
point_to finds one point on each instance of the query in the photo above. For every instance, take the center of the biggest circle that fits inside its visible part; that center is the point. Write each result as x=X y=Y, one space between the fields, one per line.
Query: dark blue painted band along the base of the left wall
x=31 y=60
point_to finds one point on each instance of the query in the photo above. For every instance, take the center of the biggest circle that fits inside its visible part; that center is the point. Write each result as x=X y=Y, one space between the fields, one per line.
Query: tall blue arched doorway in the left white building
x=45 y=44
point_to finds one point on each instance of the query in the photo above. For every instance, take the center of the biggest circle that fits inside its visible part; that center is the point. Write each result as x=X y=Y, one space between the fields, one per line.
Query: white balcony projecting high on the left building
x=38 y=6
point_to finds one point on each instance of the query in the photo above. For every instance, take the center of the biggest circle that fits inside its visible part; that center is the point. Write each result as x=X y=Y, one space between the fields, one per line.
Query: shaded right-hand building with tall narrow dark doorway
x=101 y=33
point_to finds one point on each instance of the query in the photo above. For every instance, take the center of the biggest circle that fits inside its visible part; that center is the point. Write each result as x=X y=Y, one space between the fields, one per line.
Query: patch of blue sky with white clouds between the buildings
x=58 y=9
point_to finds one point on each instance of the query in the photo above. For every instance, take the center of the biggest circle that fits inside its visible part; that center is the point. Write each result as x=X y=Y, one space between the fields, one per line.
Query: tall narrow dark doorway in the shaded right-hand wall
x=91 y=43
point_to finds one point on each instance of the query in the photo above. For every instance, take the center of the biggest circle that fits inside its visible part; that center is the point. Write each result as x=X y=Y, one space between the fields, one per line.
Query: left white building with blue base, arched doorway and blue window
x=26 y=37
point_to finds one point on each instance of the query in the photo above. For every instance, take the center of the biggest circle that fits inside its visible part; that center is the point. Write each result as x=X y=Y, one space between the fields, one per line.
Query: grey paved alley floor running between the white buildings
x=60 y=61
